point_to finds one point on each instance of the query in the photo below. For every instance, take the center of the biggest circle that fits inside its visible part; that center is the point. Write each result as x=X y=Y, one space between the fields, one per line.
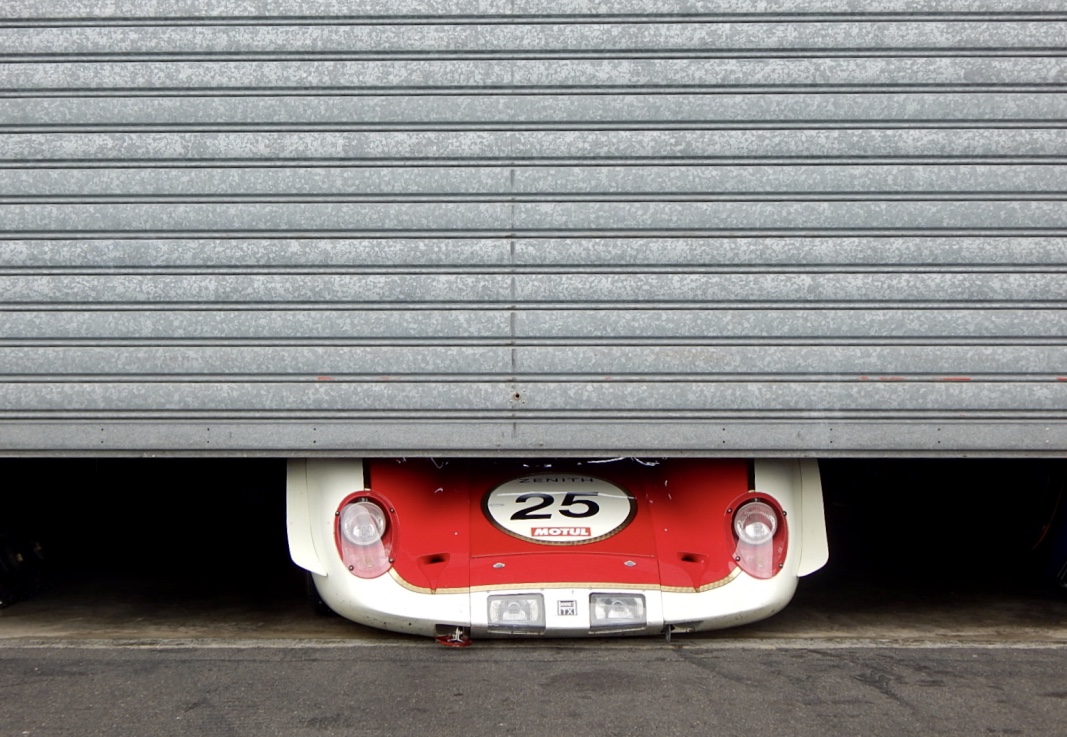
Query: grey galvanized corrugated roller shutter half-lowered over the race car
x=821 y=227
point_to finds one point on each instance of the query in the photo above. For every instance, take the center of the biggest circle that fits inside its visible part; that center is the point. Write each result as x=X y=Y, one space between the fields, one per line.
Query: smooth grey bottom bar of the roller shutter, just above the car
x=532 y=437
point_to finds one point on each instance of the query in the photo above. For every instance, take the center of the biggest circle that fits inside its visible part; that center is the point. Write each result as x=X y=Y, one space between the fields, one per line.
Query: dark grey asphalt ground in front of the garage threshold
x=549 y=688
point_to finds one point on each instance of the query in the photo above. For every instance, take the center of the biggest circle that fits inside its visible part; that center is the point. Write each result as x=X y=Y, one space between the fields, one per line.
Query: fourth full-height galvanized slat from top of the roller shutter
x=608 y=143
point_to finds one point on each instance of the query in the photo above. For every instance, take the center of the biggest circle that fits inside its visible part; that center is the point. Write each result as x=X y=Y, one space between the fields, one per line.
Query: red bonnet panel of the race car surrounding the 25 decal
x=679 y=539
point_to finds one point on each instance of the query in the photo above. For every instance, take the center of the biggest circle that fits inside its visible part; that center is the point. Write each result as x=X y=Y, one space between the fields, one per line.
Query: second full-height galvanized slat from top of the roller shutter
x=602 y=75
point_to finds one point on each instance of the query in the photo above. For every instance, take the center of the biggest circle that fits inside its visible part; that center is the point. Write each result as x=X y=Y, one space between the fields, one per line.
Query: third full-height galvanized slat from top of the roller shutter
x=529 y=110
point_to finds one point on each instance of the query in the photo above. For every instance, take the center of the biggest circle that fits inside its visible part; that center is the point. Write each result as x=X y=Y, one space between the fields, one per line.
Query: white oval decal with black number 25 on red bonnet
x=560 y=509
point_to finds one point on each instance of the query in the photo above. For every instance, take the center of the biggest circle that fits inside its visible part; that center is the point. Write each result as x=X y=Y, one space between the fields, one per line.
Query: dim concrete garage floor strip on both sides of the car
x=829 y=610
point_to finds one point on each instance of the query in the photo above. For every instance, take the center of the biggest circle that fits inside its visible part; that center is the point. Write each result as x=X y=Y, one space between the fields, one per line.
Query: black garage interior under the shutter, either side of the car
x=212 y=532
